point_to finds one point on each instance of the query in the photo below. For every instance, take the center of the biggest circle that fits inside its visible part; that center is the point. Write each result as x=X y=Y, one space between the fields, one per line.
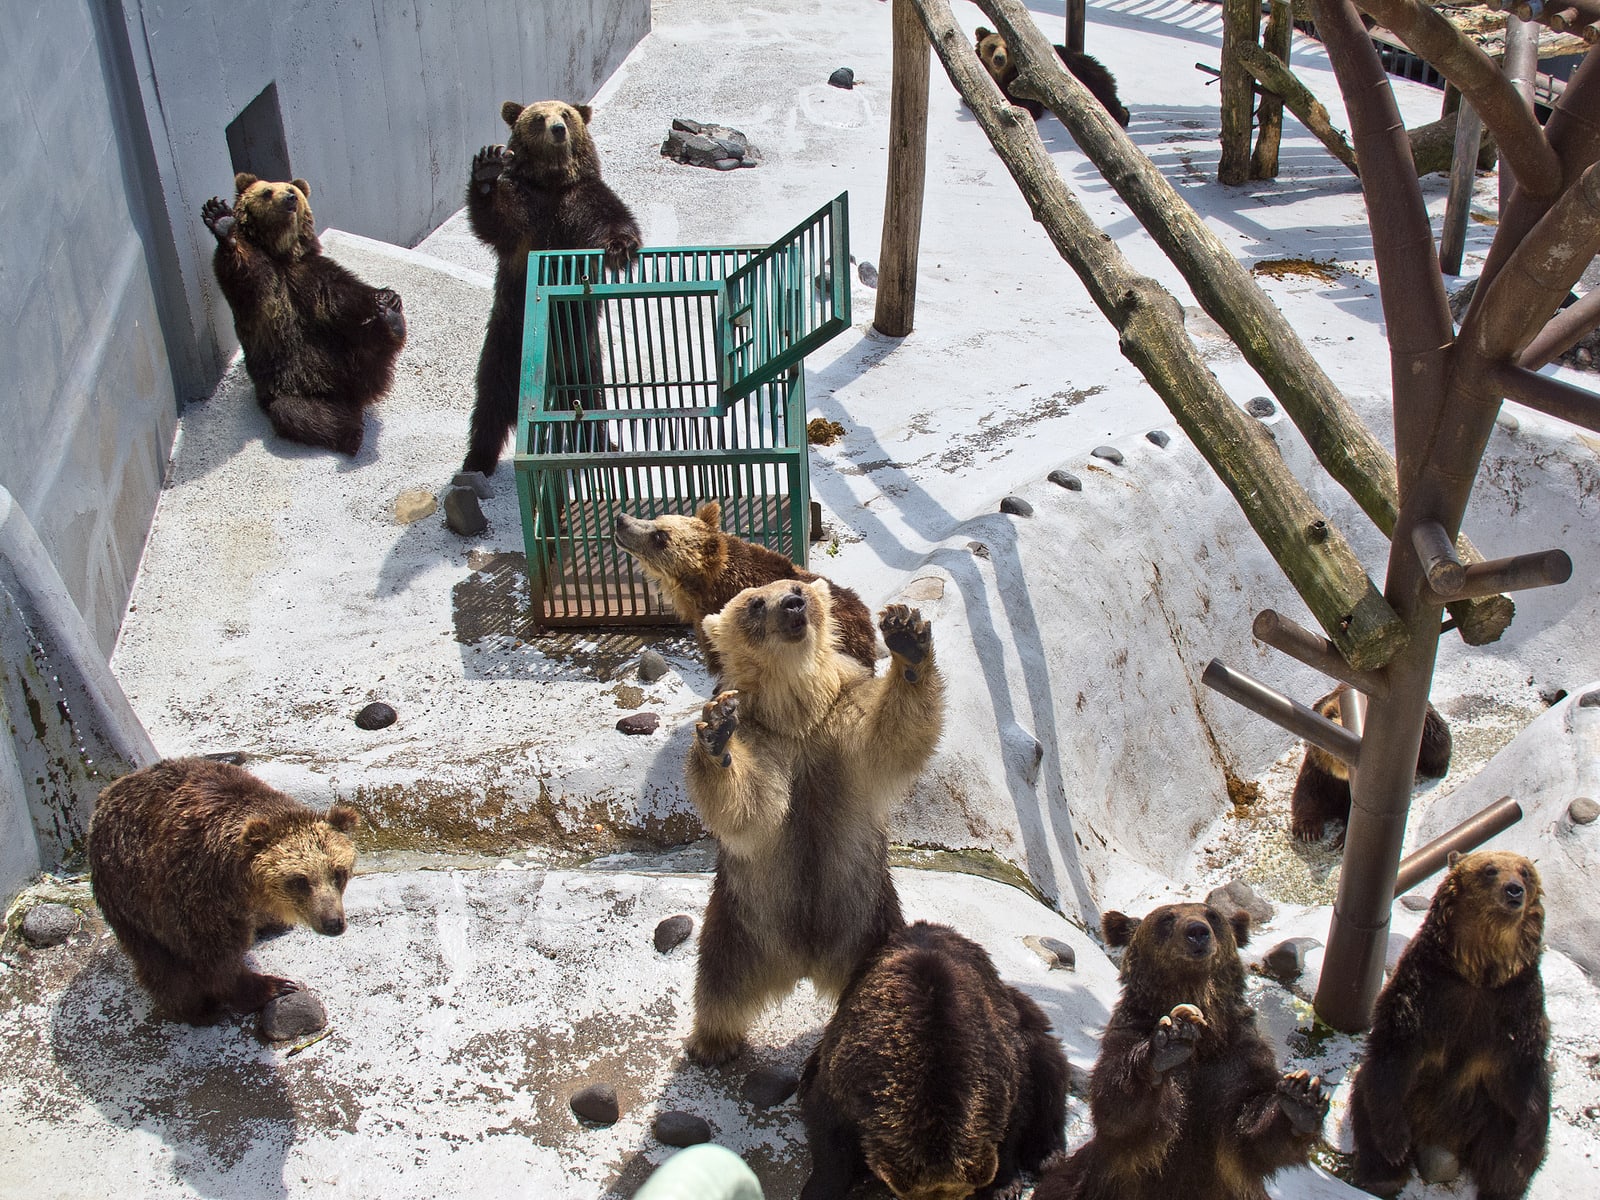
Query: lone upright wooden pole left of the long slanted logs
x=897 y=305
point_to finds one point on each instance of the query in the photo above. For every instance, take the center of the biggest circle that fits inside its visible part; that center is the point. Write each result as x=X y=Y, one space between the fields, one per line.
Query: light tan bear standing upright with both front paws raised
x=794 y=770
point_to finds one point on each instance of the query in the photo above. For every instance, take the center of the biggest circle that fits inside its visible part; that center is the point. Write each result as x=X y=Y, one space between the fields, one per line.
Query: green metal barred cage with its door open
x=658 y=393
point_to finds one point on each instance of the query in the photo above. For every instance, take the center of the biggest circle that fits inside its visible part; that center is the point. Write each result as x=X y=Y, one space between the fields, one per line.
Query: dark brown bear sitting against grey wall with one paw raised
x=319 y=345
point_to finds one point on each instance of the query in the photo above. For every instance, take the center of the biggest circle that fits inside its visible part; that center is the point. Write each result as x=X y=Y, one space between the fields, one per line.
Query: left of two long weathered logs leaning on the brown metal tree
x=1150 y=321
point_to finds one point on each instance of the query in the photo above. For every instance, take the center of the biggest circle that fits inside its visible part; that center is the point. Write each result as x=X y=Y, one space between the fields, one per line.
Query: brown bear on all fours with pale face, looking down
x=191 y=860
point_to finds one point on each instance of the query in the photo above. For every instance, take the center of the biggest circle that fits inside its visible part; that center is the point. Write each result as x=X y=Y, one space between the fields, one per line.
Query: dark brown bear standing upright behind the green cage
x=540 y=191
